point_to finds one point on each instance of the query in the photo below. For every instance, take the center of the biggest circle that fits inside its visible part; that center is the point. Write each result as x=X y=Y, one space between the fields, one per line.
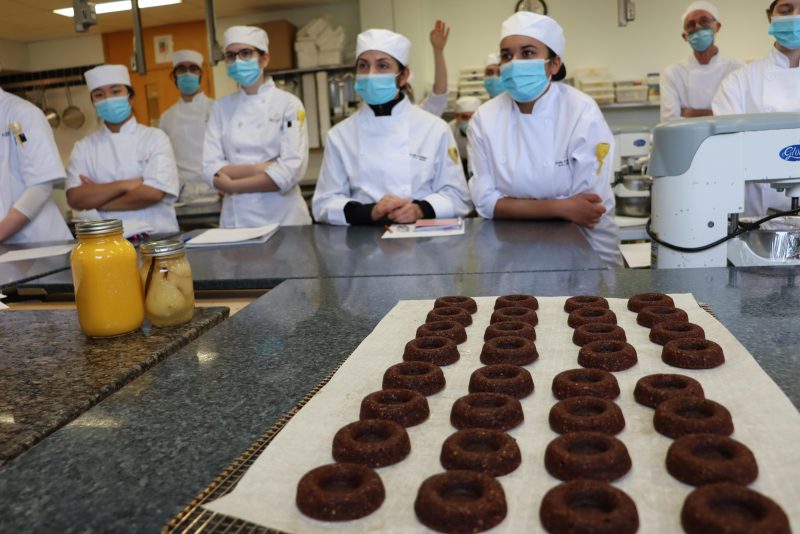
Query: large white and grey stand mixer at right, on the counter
x=700 y=168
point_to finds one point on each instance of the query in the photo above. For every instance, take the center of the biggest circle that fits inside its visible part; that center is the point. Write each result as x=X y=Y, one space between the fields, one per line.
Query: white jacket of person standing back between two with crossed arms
x=185 y=124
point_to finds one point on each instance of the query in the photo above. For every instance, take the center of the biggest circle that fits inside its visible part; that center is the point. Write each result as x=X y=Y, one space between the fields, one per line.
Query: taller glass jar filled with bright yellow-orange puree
x=108 y=291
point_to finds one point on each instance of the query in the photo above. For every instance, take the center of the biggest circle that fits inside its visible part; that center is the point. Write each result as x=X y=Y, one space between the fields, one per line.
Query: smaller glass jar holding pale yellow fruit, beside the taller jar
x=167 y=281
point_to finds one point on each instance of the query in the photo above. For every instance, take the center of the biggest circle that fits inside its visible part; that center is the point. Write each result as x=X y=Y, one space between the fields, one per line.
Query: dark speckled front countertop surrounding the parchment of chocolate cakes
x=136 y=459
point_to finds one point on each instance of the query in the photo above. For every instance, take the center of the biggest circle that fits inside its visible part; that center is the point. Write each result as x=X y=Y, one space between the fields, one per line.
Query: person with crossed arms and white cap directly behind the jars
x=124 y=170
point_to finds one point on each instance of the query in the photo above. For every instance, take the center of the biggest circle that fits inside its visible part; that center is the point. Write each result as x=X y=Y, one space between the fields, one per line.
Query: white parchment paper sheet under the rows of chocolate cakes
x=764 y=418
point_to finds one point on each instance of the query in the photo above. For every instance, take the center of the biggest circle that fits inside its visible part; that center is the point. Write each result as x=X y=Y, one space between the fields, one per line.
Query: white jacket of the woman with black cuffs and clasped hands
x=410 y=154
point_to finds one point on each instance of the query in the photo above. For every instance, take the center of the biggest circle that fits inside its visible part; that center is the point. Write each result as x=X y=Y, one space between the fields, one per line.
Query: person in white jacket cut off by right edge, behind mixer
x=767 y=85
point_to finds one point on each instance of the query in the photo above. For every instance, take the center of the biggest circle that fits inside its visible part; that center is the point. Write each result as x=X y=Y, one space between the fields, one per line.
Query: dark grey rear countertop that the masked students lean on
x=322 y=251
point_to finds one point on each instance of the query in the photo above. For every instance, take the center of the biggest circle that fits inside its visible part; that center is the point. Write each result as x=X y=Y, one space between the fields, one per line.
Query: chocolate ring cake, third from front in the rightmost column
x=679 y=416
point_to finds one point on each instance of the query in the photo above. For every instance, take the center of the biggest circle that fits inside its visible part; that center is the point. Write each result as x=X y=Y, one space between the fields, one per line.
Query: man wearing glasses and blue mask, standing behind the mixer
x=689 y=86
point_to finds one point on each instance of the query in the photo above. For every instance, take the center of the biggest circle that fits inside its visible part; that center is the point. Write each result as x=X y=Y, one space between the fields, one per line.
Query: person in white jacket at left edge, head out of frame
x=29 y=166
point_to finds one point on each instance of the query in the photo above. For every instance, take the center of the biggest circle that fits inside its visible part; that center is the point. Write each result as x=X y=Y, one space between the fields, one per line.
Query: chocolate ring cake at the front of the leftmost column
x=339 y=492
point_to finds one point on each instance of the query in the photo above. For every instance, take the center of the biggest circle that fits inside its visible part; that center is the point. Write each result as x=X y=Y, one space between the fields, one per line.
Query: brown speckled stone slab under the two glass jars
x=50 y=372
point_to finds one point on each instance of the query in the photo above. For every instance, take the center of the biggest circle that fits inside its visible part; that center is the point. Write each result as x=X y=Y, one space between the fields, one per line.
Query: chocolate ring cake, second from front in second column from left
x=481 y=449
